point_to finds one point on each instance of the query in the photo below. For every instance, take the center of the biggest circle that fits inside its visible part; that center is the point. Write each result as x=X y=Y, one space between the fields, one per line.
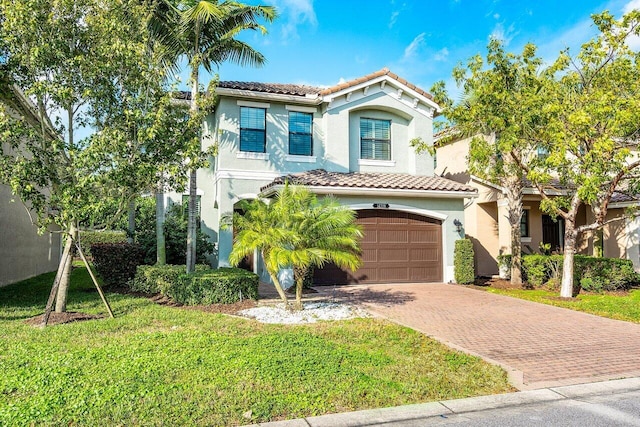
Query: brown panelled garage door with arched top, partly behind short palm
x=398 y=247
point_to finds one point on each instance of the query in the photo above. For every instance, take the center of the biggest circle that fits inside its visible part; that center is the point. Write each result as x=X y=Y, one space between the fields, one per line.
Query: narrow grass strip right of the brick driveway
x=614 y=306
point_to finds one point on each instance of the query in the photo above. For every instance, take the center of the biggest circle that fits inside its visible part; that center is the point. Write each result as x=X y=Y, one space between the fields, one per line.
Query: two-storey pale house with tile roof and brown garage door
x=352 y=141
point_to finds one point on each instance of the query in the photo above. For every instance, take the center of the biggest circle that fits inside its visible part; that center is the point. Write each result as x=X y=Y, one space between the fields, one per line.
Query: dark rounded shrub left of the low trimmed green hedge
x=116 y=262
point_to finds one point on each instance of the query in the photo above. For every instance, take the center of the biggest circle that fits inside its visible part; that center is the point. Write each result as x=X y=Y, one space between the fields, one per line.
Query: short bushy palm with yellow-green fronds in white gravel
x=296 y=230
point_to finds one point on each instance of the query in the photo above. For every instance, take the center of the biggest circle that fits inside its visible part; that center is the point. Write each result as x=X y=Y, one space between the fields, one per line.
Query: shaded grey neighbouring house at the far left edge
x=23 y=252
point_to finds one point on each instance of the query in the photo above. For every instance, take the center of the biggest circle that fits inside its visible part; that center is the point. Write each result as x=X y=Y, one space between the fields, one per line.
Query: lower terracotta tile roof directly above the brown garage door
x=391 y=181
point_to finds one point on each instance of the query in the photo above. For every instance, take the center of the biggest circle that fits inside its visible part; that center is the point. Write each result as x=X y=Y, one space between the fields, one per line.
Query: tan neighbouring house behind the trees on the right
x=486 y=222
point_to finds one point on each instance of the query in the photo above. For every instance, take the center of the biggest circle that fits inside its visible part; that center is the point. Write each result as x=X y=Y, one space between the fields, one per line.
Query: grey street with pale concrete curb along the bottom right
x=607 y=403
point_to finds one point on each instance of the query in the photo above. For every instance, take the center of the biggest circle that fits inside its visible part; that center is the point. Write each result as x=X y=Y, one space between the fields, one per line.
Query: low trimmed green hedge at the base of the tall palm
x=205 y=286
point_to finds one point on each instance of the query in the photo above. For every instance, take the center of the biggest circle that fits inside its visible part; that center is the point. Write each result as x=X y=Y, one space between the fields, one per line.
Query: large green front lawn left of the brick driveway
x=159 y=365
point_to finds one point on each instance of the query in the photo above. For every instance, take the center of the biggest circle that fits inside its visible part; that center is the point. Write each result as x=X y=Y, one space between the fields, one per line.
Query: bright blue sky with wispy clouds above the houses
x=323 y=42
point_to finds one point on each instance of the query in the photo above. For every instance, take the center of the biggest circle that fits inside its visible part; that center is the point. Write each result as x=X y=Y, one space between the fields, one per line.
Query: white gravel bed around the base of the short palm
x=312 y=312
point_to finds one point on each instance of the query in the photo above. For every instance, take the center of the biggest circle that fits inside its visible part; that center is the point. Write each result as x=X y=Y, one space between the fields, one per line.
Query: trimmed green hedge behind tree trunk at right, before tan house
x=592 y=274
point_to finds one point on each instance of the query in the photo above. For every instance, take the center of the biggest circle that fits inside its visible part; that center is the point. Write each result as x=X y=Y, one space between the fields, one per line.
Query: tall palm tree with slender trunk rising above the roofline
x=204 y=31
